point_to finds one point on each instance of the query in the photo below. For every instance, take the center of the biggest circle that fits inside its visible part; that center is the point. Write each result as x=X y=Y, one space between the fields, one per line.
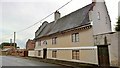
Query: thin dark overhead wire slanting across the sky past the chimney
x=43 y=18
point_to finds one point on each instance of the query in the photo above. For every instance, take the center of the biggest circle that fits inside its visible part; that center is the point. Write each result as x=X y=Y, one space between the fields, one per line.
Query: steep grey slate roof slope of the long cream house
x=75 y=19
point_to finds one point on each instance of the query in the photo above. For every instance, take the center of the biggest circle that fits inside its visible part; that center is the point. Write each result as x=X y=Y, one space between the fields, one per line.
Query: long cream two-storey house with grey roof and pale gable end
x=72 y=37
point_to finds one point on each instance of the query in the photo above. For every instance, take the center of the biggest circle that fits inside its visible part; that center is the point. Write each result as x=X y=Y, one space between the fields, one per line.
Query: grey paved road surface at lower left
x=15 y=61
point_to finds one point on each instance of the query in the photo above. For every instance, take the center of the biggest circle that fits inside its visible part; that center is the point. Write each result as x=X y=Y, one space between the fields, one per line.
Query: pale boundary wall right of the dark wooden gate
x=115 y=49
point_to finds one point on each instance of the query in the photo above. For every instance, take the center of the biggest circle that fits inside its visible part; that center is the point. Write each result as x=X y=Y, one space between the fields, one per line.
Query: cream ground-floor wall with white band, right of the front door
x=87 y=54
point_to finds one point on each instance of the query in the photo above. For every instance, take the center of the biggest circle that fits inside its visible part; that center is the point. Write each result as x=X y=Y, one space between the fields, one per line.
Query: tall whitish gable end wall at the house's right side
x=102 y=25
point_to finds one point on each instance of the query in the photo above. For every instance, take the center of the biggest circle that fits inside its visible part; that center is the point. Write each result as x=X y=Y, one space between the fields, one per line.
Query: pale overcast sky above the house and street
x=16 y=15
